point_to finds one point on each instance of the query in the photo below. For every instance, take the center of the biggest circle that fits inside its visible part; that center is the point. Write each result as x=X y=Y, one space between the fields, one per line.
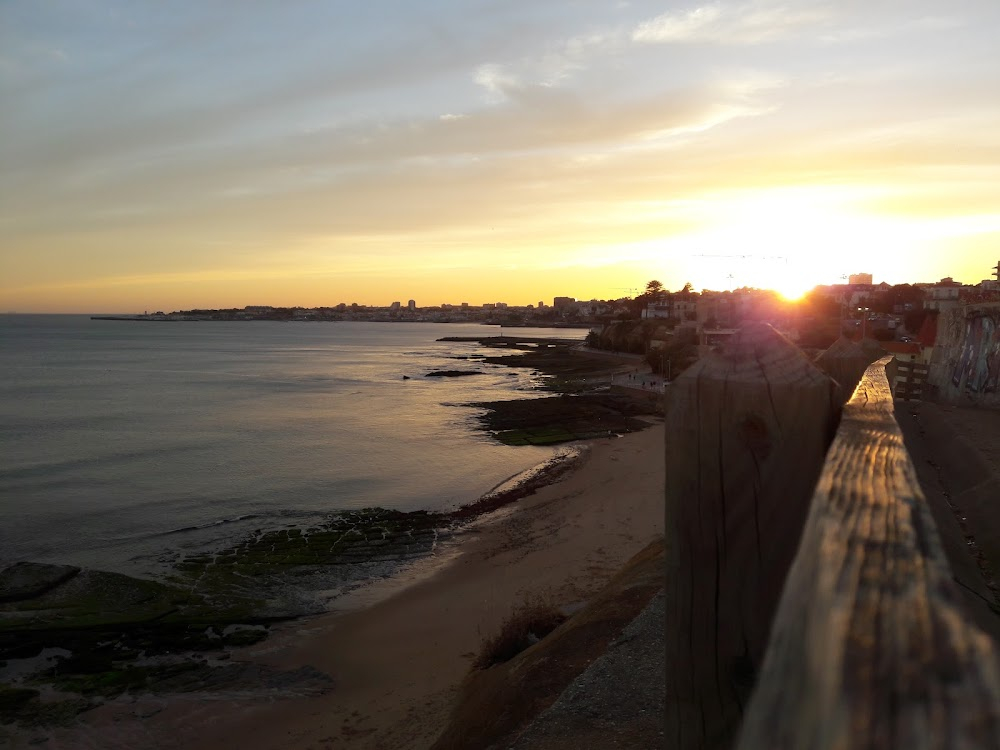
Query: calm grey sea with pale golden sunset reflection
x=124 y=443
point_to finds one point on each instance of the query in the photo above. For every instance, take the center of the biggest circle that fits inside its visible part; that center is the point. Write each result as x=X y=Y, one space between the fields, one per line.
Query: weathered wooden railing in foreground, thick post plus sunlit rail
x=809 y=602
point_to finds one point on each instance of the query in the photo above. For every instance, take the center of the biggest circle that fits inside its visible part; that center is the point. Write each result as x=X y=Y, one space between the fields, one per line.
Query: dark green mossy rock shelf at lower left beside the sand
x=211 y=603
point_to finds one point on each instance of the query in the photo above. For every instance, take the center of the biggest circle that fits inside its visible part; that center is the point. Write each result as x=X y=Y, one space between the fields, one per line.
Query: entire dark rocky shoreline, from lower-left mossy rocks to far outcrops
x=71 y=639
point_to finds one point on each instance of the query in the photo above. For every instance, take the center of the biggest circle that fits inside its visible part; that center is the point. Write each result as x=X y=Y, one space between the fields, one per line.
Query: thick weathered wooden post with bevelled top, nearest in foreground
x=746 y=433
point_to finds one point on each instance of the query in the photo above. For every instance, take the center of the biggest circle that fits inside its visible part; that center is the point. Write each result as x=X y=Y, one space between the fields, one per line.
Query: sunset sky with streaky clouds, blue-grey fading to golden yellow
x=166 y=156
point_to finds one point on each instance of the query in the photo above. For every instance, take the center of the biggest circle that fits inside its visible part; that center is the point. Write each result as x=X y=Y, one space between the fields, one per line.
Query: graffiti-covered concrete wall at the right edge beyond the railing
x=965 y=366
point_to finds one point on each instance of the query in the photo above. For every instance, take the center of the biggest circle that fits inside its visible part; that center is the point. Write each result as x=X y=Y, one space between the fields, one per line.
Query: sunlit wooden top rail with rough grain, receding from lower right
x=870 y=648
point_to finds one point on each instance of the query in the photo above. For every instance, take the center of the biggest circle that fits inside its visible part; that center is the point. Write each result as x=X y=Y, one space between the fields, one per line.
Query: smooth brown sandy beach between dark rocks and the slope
x=396 y=659
